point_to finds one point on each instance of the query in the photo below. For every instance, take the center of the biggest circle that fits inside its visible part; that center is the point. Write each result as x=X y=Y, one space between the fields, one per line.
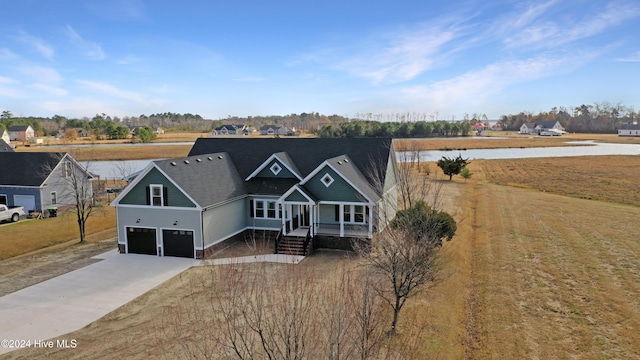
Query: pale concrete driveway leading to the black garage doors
x=71 y=301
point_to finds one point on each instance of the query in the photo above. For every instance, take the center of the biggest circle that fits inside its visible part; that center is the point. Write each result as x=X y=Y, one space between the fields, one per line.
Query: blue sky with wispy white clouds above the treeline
x=240 y=58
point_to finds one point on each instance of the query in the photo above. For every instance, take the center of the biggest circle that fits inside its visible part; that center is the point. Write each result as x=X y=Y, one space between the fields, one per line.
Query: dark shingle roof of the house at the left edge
x=34 y=167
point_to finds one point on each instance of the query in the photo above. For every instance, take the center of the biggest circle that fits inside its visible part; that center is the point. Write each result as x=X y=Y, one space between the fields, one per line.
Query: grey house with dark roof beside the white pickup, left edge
x=41 y=180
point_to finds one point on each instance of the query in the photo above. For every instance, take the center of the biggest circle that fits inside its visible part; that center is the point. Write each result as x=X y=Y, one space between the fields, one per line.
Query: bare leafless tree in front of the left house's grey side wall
x=74 y=185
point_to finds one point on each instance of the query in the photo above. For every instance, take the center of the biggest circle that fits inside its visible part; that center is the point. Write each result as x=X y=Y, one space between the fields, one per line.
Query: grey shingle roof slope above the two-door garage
x=207 y=179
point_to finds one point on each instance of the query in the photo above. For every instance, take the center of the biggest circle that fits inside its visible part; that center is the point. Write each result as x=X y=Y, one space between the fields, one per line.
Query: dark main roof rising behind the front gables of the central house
x=369 y=155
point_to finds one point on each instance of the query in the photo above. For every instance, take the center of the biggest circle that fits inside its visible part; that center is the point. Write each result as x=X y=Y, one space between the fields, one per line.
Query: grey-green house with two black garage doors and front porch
x=310 y=192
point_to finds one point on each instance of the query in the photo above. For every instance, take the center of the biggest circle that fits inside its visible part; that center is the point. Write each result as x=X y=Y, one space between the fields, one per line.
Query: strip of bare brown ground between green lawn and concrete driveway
x=22 y=271
